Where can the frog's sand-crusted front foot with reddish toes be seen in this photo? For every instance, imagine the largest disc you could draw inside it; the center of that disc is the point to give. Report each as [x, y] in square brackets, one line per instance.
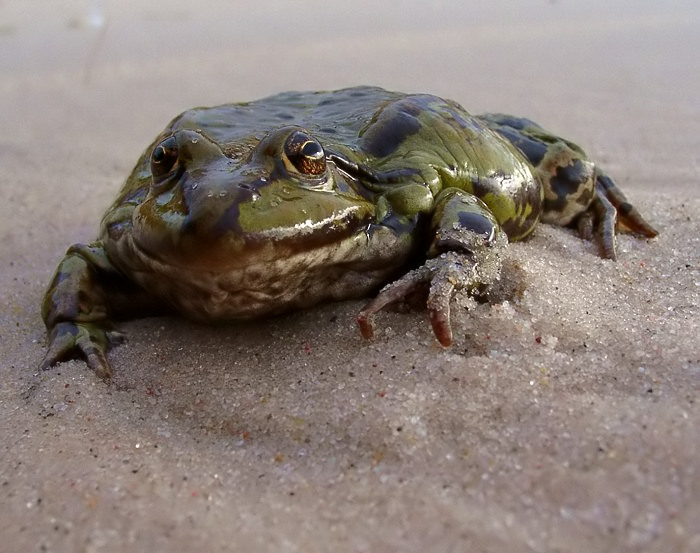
[441, 277]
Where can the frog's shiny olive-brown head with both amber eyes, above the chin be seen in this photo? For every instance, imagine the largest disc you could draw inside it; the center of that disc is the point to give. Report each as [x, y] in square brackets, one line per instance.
[214, 205]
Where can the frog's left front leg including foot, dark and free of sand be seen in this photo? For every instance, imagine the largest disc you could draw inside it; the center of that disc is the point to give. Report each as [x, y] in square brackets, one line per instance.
[85, 293]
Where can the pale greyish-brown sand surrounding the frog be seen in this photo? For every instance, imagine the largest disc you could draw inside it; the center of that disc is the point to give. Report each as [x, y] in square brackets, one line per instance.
[566, 420]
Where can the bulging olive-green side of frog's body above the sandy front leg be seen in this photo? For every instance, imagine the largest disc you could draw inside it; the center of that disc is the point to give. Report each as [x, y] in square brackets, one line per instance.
[446, 147]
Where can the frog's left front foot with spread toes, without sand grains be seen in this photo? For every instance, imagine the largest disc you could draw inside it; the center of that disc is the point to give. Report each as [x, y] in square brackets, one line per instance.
[68, 340]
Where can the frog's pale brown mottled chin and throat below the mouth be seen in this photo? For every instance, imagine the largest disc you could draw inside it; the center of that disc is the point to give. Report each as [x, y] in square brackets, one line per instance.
[273, 278]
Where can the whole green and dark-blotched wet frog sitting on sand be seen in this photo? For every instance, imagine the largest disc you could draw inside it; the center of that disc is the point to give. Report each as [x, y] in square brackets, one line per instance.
[254, 209]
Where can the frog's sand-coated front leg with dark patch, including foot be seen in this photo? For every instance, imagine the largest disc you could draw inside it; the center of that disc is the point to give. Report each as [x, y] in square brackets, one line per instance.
[465, 254]
